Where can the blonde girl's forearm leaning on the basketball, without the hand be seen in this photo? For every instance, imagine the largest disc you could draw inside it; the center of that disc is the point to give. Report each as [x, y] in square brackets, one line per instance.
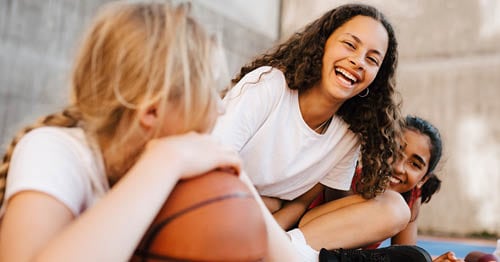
[111, 229]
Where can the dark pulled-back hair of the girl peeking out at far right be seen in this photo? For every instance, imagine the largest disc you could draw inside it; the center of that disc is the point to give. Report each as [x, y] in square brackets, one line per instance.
[423, 127]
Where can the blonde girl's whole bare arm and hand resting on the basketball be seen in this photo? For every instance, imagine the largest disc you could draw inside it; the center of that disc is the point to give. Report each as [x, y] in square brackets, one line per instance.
[40, 228]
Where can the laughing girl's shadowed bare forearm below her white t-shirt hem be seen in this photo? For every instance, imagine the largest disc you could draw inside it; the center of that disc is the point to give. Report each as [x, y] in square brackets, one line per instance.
[288, 216]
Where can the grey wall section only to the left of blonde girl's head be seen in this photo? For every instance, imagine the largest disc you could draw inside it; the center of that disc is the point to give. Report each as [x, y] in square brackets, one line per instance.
[36, 42]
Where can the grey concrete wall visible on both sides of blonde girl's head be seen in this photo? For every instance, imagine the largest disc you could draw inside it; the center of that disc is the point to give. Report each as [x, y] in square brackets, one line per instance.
[38, 41]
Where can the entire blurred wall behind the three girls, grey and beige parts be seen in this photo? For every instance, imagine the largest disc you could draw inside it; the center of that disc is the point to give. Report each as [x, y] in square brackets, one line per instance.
[449, 74]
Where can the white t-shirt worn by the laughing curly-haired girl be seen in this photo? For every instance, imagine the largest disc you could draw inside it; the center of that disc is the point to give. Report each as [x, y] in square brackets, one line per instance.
[282, 155]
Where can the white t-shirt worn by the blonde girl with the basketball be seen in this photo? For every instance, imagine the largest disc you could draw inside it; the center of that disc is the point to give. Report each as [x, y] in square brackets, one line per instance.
[59, 162]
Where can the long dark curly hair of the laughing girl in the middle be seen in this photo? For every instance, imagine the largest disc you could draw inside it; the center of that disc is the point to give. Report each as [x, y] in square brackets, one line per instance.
[375, 118]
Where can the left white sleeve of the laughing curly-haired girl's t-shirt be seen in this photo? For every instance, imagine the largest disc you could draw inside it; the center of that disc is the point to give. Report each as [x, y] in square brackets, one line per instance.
[247, 105]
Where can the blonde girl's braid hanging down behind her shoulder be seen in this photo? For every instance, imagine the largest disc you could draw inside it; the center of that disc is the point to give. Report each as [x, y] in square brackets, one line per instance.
[69, 117]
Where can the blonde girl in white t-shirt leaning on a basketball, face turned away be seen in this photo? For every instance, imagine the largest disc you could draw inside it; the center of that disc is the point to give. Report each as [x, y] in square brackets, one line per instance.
[84, 184]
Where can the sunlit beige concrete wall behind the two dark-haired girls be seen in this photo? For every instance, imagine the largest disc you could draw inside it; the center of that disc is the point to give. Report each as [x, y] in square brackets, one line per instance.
[449, 73]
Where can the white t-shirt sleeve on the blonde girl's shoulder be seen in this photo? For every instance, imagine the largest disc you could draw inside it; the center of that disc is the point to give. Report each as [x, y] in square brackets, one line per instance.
[47, 162]
